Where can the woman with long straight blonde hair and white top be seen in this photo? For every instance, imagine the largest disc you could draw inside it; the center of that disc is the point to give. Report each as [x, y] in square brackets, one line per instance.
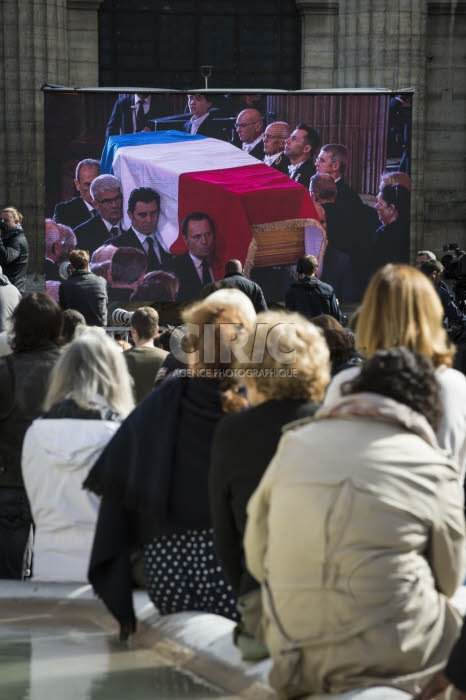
[401, 308]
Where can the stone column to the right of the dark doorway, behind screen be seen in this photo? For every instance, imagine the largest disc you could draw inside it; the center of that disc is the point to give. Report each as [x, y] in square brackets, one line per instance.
[373, 44]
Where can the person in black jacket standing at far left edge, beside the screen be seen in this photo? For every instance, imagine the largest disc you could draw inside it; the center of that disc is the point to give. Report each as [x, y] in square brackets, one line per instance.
[14, 248]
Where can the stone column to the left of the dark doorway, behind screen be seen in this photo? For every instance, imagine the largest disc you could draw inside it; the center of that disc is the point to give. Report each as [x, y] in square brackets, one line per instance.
[36, 47]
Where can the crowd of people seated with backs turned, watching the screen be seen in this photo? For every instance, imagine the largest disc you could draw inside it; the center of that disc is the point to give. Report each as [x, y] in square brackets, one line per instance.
[318, 509]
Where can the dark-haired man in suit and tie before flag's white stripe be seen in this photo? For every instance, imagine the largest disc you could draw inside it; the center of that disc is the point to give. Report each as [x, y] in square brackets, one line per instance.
[143, 211]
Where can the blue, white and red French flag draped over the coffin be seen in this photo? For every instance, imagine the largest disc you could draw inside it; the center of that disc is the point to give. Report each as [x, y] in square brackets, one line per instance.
[197, 173]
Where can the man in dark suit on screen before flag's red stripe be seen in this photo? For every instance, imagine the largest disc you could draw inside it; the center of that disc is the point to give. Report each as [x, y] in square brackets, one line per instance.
[193, 268]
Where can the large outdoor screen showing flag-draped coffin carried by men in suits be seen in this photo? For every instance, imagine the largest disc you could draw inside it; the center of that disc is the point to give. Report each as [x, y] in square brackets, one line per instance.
[263, 215]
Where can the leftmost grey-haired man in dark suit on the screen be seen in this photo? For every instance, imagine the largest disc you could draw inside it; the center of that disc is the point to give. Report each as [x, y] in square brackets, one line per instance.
[79, 209]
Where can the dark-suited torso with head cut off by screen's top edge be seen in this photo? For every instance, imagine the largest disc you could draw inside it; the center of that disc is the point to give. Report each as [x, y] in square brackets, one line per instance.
[134, 113]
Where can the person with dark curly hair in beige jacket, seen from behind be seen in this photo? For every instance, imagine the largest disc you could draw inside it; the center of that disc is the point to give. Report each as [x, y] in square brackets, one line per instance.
[358, 556]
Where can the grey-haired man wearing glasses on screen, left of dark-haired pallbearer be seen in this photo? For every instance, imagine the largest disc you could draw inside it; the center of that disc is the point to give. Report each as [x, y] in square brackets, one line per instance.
[108, 202]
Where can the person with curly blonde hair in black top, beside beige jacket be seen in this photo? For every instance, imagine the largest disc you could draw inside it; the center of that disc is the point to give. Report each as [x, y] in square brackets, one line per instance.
[280, 392]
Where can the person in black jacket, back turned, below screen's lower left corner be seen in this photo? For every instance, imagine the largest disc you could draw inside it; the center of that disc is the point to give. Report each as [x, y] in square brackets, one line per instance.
[84, 291]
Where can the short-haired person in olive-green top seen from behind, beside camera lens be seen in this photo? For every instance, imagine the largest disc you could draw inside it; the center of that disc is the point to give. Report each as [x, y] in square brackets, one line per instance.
[144, 359]
